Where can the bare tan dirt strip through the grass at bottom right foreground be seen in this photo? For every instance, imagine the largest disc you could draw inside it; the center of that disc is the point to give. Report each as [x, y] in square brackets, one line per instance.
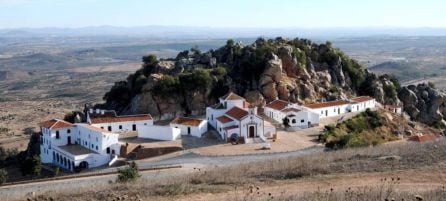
[410, 180]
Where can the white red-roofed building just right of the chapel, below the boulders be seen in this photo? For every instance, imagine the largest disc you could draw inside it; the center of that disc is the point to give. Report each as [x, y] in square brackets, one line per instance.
[296, 116]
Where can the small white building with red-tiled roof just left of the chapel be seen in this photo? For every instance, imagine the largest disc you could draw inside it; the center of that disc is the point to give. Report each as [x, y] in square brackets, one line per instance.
[190, 126]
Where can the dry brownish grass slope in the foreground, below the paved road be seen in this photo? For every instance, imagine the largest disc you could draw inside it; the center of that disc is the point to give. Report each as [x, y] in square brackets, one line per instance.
[241, 182]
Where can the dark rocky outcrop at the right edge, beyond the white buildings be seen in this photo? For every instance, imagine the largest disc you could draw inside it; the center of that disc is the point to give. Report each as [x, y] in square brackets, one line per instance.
[423, 103]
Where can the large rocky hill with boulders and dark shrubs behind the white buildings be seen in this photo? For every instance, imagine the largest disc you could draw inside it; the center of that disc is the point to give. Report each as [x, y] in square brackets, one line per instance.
[296, 70]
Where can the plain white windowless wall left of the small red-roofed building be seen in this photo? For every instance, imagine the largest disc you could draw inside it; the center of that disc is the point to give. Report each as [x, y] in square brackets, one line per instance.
[159, 133]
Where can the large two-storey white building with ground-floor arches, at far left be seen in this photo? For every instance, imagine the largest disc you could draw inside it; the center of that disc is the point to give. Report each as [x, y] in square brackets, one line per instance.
[76, 146]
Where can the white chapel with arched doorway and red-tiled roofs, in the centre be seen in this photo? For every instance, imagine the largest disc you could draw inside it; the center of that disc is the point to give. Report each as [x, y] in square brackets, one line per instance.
[233, 116]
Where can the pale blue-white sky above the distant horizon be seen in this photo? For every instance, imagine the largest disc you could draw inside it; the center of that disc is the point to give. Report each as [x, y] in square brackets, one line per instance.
[223, 13]
